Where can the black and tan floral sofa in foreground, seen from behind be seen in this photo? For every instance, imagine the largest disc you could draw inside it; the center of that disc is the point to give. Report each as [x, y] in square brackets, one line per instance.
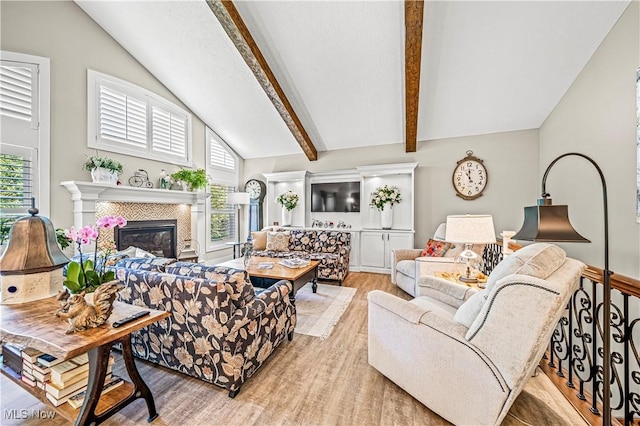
[220, 330]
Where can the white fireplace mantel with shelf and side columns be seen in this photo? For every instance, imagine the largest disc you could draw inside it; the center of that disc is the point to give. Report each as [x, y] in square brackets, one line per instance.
[85, 195]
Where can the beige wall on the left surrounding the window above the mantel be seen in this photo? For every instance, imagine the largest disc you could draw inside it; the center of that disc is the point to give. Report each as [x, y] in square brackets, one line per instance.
[62, 32]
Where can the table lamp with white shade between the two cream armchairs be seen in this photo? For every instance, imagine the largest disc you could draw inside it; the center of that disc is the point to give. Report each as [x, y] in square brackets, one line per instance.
[469, 230]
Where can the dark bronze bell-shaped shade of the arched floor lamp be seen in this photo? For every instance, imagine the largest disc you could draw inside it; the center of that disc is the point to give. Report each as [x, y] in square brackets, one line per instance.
[548, 223]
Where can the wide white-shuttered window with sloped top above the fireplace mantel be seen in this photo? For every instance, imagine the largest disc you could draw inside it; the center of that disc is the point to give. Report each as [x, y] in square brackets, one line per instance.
[125, 118]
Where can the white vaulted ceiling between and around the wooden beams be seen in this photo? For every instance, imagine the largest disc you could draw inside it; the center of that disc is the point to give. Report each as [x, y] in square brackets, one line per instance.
[486, 66]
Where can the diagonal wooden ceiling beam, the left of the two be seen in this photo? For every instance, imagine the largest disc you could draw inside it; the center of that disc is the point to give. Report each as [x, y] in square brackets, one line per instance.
[239, 34]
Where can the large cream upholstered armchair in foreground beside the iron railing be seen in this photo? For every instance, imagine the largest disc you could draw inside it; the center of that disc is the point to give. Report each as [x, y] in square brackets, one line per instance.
[469, 360]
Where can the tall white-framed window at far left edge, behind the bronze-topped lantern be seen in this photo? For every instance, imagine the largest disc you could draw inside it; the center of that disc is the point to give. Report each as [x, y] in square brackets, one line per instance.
[24, 137]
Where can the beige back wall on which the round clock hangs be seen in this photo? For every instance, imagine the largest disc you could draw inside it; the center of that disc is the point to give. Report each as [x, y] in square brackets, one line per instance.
[512, 166]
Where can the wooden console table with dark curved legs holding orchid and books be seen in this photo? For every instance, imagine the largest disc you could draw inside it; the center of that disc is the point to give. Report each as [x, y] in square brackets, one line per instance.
[34, 324]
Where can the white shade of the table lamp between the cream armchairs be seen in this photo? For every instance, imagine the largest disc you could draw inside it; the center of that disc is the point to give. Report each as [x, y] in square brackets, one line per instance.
[470, 229]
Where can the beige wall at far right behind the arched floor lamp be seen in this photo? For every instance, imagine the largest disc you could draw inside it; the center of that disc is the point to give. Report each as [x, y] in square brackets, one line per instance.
[597, 117]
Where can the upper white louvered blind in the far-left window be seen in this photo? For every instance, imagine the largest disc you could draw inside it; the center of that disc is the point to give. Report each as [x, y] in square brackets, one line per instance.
[17, 86]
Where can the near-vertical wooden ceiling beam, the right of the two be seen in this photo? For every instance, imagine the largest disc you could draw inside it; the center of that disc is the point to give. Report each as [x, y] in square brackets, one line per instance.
[413, 16]
